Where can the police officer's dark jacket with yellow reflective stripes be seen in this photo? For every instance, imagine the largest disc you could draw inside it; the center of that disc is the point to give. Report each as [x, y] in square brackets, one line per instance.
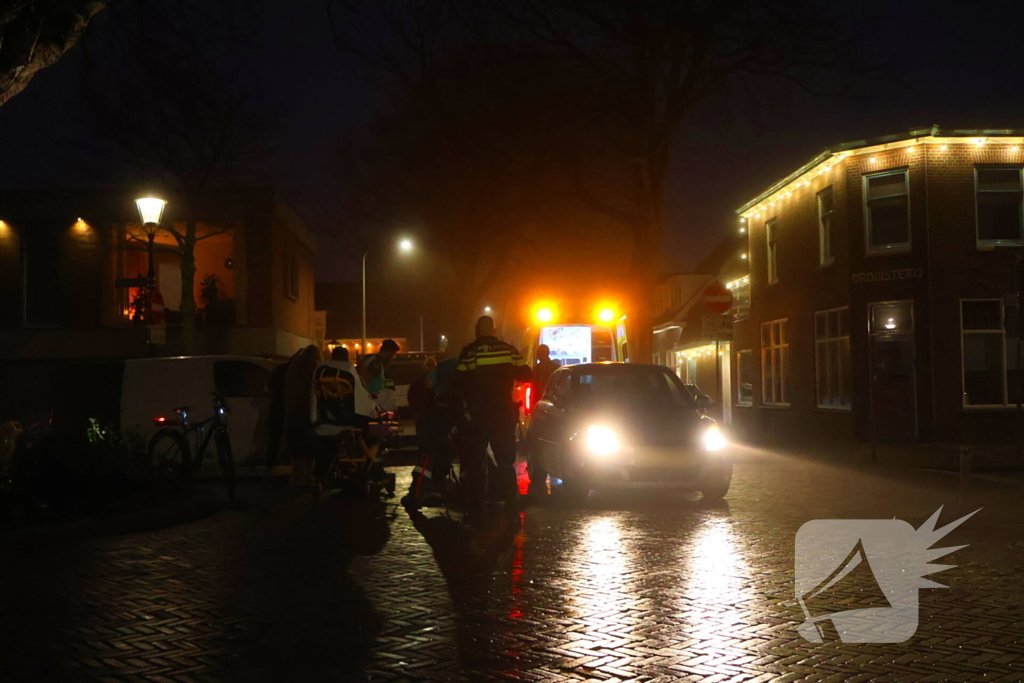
[487, 373]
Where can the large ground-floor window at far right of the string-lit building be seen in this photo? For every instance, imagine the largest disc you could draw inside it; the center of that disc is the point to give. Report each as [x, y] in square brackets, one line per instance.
[991, 368]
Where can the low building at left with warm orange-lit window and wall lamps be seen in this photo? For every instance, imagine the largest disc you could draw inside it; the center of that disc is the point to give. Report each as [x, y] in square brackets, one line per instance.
[63, 251]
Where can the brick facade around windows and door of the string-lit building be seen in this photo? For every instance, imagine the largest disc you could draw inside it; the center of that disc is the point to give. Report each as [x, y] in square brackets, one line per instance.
[946, 266]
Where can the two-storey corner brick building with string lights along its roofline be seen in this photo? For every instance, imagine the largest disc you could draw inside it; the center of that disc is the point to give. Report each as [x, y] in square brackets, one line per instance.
[882, 275]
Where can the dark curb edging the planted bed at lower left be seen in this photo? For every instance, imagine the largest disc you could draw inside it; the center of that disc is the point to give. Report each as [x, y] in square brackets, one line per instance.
[201, 504]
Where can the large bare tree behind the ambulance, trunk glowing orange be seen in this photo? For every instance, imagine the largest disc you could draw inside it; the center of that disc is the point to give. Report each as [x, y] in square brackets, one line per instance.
[645, 67]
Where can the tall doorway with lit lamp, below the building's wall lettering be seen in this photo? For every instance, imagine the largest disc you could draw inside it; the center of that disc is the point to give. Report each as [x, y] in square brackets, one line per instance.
[893, 373]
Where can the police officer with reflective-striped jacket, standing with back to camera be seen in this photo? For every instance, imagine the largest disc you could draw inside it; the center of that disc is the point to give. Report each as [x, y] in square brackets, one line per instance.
[487, 372]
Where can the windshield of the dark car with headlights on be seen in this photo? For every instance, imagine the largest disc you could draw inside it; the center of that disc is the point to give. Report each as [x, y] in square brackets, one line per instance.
[648, 388]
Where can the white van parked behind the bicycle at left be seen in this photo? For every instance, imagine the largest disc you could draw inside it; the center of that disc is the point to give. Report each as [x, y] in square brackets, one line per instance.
[154, 388]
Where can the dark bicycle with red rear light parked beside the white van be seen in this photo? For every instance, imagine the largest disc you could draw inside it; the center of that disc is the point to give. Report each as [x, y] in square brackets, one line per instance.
[170, 453]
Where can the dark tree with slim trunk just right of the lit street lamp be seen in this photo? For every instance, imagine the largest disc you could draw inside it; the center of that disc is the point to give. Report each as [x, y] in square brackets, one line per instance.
[159, 91]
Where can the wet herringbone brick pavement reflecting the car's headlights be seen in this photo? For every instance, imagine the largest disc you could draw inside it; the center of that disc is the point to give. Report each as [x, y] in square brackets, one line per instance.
[627, 586]
